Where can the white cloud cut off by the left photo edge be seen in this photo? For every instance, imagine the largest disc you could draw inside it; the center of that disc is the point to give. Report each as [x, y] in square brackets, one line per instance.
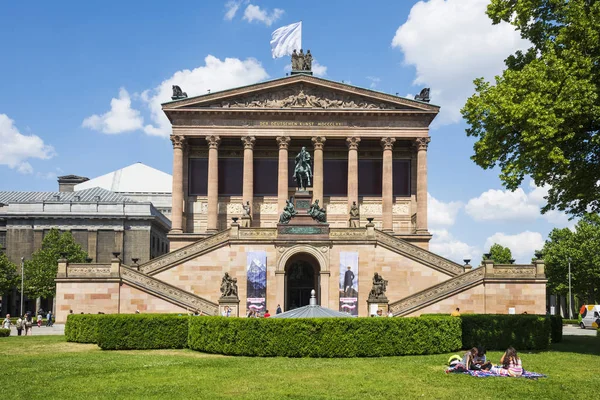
[16, 148]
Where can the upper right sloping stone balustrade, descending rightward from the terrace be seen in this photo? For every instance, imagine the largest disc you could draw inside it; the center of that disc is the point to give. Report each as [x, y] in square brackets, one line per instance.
[418, 254]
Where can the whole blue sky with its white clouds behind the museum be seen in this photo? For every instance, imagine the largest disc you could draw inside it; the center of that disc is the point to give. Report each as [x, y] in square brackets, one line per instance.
[65, 62]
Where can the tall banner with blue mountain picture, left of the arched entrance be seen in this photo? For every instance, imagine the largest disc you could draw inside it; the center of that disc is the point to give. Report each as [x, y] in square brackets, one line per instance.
[256, 271]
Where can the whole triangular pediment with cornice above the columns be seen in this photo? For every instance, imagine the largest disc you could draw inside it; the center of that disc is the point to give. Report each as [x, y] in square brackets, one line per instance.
[300, 92]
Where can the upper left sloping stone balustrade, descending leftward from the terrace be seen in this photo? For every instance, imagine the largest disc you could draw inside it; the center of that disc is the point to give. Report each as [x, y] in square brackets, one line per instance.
[200, 247]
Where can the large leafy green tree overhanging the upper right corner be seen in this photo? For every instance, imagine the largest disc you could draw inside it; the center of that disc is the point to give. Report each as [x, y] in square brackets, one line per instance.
[542, 116]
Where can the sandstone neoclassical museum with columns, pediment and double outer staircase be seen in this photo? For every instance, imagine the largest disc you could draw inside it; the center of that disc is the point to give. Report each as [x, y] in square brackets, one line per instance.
[357, 233]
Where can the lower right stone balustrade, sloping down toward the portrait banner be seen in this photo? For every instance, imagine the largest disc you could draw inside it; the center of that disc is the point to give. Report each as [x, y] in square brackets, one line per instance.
[438, 292]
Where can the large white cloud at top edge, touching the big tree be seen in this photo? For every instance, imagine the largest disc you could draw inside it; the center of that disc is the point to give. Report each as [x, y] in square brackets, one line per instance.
[450, 43]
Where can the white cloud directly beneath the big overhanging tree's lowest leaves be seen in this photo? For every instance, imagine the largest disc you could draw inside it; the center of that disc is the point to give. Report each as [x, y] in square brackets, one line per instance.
[499, 205]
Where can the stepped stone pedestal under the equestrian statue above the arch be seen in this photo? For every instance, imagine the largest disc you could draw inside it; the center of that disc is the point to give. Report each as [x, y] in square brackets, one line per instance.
[302, 226]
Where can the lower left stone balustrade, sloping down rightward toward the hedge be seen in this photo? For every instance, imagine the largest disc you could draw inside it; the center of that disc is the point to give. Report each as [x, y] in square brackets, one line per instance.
[167, 292]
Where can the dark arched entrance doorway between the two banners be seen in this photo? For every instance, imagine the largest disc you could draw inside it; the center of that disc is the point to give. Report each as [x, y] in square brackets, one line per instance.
[301, 276]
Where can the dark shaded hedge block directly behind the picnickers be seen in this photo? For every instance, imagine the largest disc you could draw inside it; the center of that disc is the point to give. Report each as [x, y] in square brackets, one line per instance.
[498, 332]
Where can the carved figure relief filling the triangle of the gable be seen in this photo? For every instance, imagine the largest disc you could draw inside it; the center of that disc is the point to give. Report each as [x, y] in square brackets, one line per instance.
[305, 97]
